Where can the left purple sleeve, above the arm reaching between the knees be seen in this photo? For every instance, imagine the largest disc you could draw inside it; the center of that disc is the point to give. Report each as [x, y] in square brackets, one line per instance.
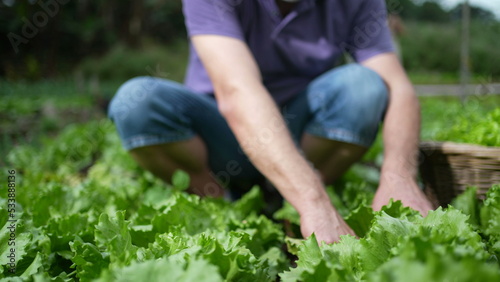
[216, 17]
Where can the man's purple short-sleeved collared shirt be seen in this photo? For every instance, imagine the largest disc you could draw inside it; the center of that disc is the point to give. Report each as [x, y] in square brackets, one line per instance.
[293, 50]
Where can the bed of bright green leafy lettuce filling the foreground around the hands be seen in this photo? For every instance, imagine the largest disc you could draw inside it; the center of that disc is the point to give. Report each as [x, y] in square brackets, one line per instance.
[88, 213]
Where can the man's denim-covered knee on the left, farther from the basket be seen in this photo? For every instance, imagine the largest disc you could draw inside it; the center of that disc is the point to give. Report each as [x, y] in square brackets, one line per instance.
[149, 110]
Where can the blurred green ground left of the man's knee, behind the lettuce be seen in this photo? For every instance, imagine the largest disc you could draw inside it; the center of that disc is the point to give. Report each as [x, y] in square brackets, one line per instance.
[30, 111]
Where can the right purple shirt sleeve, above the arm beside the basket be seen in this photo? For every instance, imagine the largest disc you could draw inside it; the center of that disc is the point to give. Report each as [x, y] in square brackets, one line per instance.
[370, 34]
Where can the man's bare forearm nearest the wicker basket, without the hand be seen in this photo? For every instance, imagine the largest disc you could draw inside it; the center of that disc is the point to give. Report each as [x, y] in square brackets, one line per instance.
[401, 134]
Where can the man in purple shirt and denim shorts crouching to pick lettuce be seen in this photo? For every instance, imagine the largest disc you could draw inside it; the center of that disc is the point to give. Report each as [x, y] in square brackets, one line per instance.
[262, 56]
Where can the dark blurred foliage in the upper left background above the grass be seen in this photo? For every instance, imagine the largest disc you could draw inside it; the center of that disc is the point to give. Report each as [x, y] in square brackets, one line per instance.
[80, 29]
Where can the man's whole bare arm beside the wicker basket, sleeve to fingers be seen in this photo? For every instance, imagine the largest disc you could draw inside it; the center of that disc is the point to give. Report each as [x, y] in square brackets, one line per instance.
[401, 138]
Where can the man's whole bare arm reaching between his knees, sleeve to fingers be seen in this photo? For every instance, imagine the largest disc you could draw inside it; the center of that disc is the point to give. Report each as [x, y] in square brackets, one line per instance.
[259, 128]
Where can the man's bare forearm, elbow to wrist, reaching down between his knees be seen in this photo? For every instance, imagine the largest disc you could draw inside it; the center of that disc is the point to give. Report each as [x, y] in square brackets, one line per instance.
[263, 135]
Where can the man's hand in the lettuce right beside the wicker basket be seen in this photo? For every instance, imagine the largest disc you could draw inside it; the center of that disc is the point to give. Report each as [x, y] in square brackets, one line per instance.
[404, 189]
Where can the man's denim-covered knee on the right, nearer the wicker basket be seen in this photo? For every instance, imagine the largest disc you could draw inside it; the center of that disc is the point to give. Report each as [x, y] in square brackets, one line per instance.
[350, 99]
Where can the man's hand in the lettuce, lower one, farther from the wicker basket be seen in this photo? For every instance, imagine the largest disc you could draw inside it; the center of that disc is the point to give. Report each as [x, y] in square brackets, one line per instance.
[325, 222]
